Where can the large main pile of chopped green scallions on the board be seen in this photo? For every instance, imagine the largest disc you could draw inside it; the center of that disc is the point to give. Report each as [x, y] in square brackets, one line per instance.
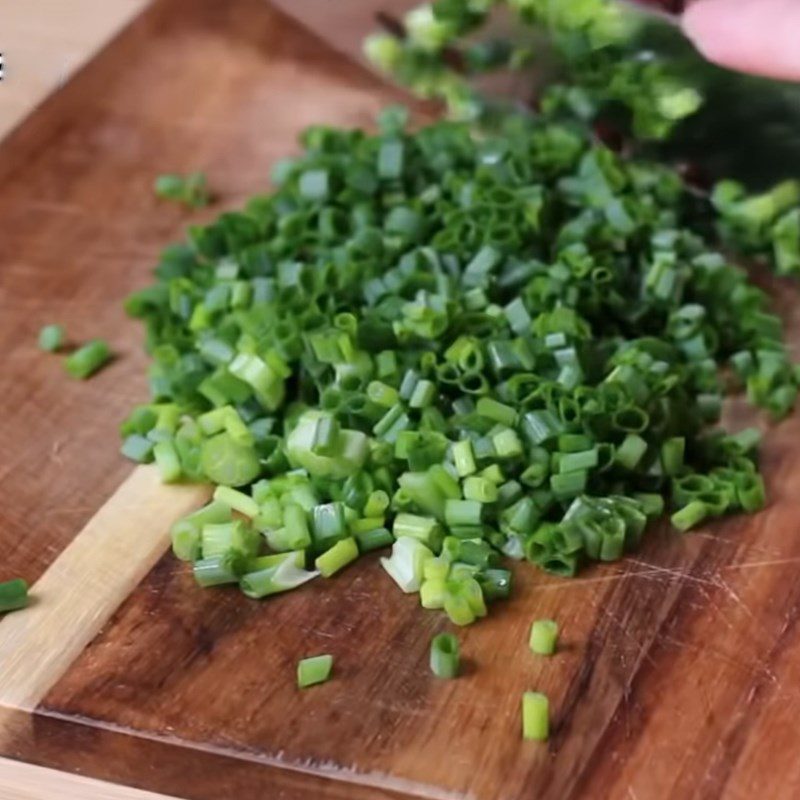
[466, 348]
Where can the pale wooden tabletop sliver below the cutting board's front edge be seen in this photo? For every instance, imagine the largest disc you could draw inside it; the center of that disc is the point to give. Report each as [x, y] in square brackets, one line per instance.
[22, 781]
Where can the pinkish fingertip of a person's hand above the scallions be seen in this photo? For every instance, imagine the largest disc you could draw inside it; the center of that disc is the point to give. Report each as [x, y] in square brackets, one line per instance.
[757, 36]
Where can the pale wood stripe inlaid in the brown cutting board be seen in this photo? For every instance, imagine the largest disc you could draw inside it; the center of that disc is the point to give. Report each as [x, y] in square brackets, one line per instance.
[87, 582]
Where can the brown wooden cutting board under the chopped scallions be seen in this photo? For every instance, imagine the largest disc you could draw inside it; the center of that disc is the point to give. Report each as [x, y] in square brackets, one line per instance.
[679, 673]
